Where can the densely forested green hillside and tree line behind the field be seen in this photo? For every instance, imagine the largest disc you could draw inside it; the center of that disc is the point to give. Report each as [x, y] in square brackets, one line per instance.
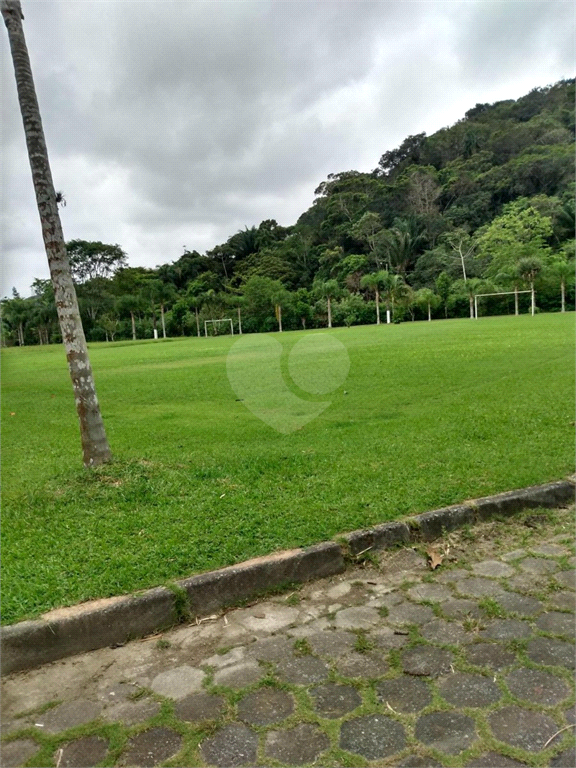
[485, 205]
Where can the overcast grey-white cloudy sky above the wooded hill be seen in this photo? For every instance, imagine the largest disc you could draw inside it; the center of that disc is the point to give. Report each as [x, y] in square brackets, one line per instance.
[174, 124]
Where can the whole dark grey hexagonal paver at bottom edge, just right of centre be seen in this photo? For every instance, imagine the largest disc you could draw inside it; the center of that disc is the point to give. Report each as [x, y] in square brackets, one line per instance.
[372, 736]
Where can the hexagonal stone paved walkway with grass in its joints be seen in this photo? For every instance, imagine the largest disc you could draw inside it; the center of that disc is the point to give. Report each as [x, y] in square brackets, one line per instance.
[390, 664]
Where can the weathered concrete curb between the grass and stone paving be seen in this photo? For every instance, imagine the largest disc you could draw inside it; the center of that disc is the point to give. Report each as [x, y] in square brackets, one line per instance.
[113, 621]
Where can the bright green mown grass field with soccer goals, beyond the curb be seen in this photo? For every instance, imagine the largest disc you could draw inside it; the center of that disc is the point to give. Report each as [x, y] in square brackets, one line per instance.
[430, 414]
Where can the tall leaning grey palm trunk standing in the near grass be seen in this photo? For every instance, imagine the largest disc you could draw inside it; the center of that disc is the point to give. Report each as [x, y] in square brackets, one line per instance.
[94, 442]
